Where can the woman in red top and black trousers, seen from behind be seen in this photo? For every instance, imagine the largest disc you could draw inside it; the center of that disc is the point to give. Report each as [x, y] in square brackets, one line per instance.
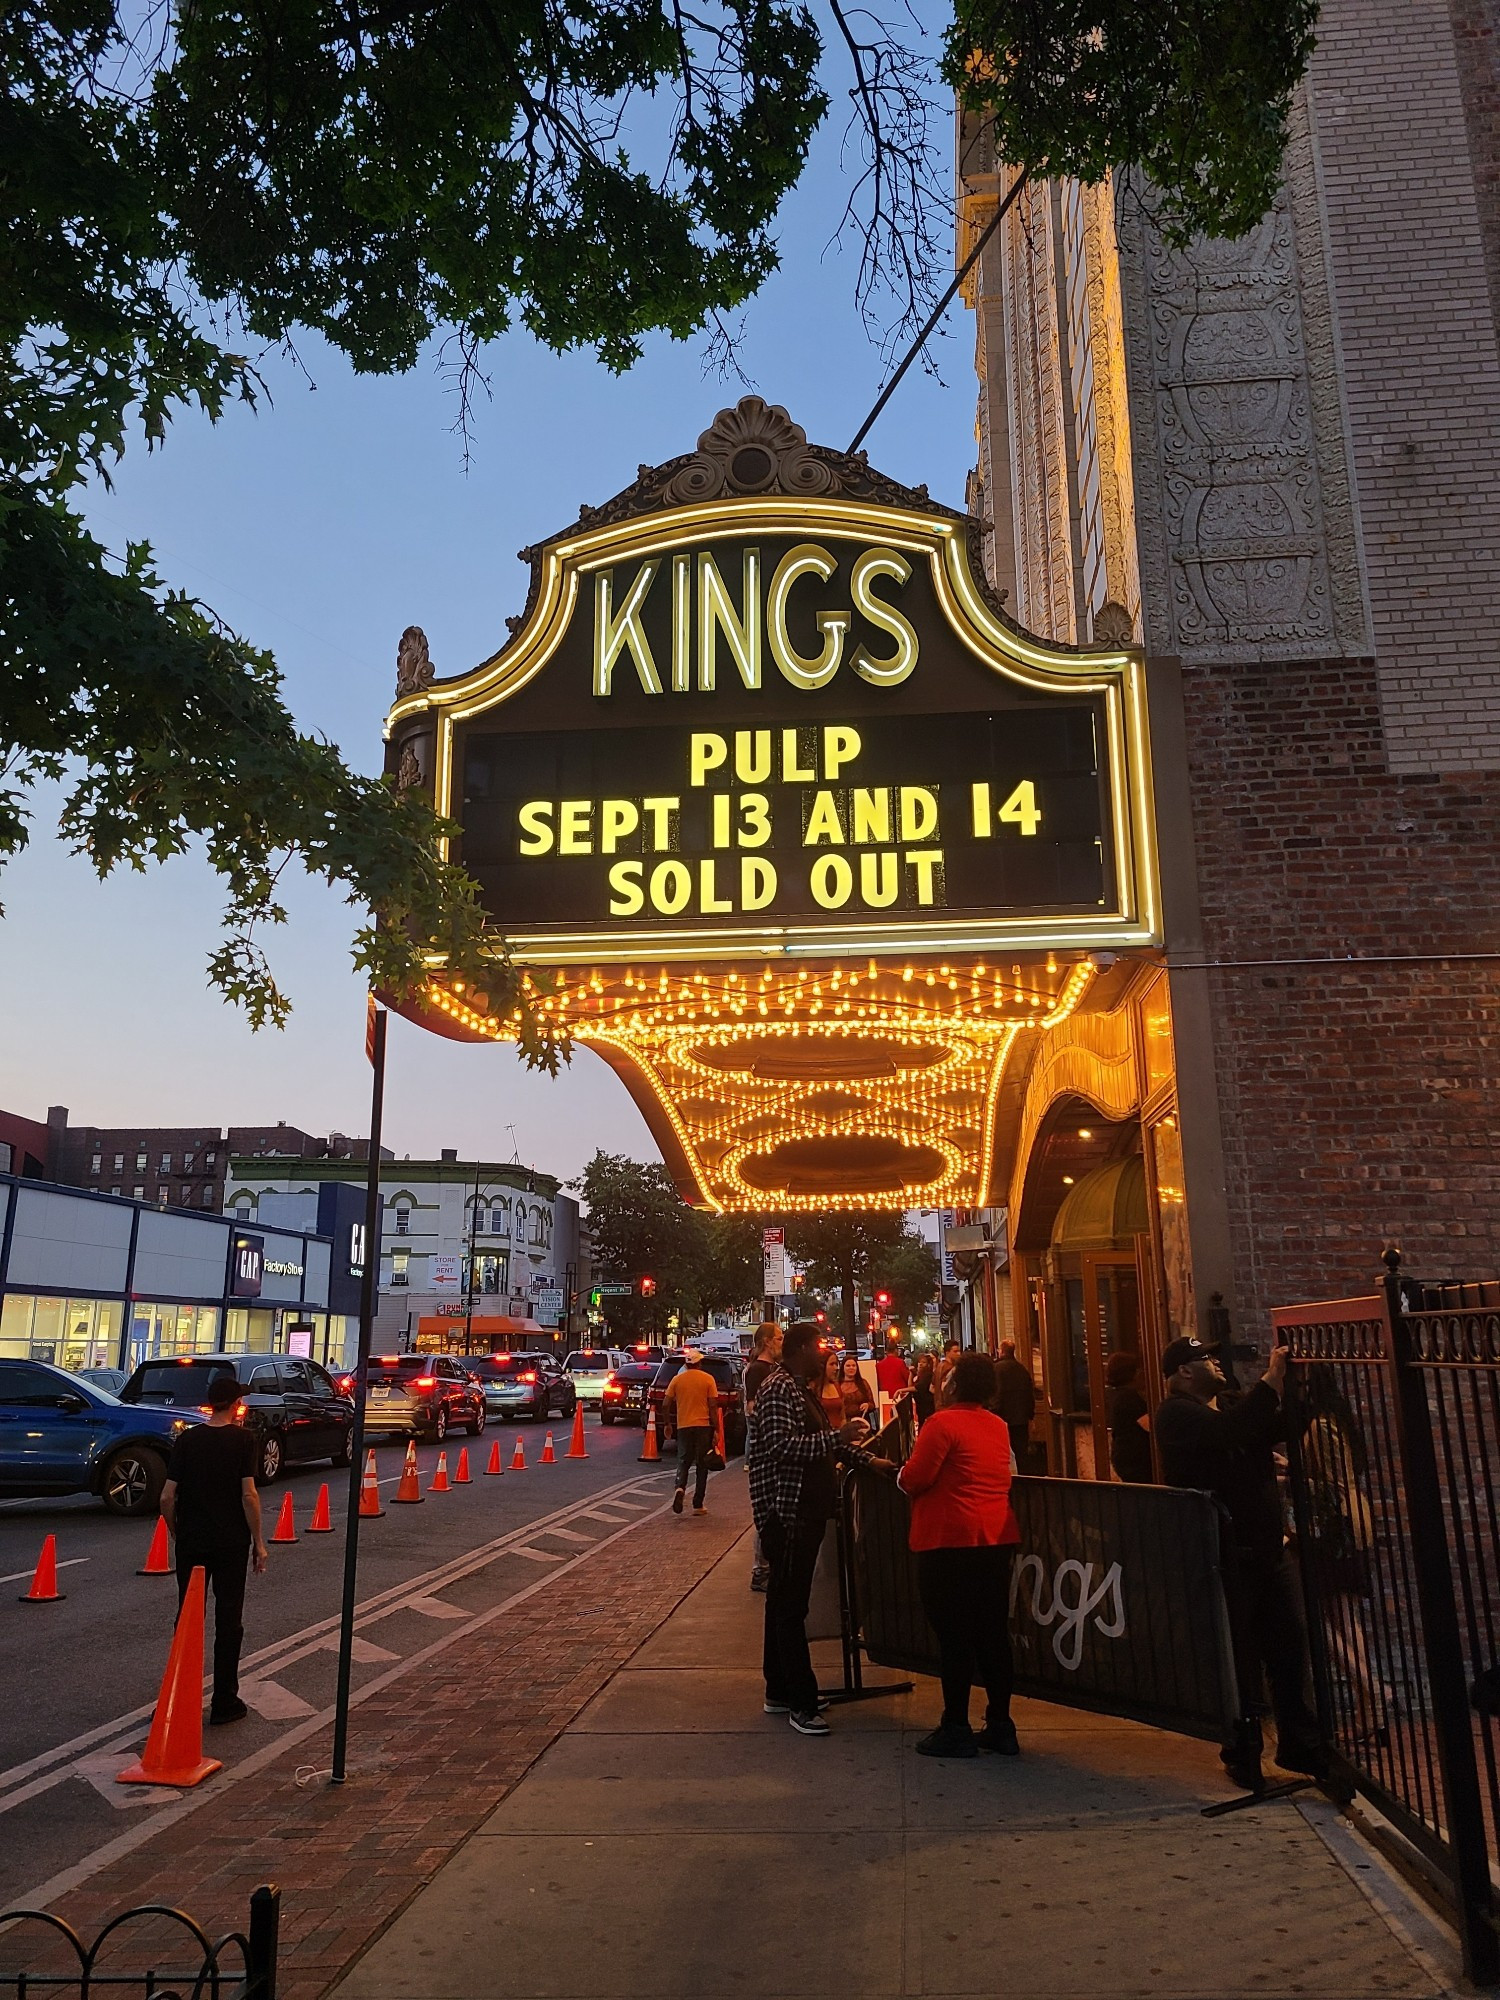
[965, 1539]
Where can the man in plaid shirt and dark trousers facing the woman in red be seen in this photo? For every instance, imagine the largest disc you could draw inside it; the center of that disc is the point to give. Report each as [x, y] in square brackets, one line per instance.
[793, 1495]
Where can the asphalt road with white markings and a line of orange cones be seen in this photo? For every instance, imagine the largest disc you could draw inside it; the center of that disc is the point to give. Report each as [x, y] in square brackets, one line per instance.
[81, 1677]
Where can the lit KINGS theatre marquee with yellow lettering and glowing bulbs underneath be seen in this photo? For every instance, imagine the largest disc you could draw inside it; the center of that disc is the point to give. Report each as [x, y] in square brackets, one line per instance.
[807, 827]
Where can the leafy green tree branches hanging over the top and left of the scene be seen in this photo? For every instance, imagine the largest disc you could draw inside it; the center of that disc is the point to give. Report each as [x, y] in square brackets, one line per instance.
[185, 181]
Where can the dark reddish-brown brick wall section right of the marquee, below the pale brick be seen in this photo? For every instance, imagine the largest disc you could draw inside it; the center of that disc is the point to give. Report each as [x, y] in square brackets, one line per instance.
[1359, 1105]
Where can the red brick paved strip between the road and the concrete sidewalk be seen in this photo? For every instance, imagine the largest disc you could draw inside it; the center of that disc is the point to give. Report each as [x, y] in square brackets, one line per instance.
[431, 1757]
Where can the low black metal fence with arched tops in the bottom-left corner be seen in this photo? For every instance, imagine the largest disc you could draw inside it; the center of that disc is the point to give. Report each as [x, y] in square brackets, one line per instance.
[235, 1967]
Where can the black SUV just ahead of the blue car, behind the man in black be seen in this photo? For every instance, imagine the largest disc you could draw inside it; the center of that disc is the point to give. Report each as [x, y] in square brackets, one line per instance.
[291, 1405]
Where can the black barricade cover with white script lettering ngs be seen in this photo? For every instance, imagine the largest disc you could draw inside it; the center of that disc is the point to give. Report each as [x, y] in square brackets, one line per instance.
[1117, 1599]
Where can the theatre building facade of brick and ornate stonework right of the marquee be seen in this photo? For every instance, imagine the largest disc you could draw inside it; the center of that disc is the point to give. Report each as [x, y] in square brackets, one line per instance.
[1275, 465]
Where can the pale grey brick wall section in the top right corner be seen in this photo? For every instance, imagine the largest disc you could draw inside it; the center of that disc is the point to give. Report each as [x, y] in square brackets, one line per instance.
[1421, 365]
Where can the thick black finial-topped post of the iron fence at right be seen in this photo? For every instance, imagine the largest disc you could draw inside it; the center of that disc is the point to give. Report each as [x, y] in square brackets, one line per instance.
[1443, 1645]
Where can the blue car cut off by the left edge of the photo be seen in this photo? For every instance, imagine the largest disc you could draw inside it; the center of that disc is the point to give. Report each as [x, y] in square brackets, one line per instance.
[61, 1435]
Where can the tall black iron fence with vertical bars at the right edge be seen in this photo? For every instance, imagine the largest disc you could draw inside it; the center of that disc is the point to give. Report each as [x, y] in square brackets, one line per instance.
[1395, 1475]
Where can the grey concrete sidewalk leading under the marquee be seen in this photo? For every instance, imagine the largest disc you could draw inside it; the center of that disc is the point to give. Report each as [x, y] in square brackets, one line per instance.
[679, 1843]
